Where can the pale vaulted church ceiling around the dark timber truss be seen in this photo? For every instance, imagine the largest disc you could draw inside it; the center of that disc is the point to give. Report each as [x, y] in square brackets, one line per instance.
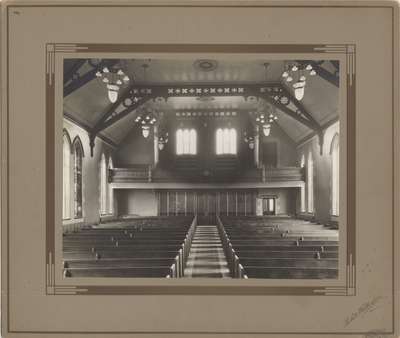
[86, 101]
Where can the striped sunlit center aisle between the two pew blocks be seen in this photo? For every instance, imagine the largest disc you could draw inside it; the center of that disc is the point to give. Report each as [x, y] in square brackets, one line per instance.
[206, 256]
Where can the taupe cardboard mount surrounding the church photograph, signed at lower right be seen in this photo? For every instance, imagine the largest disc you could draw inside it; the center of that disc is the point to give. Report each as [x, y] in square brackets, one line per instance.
[37, 36]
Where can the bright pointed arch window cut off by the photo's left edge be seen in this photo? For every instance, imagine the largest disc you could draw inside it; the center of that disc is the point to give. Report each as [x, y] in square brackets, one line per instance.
[66, 176]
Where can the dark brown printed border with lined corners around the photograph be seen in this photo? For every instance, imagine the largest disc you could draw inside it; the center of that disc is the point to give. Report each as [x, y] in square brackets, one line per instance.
[348, 289]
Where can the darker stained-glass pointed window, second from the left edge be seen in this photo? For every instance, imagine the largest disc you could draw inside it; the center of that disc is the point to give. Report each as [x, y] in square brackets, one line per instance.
[78, 189]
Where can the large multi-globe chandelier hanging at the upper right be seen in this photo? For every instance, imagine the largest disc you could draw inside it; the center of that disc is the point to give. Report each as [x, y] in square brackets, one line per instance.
[297, 72]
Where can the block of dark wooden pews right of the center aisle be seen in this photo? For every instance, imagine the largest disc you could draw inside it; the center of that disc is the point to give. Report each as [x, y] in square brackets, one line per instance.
[281, 248]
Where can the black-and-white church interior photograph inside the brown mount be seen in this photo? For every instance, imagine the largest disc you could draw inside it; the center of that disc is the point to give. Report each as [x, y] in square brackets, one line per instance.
[200, 168]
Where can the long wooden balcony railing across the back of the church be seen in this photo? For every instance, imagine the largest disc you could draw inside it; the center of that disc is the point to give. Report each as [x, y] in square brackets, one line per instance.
[146, 173]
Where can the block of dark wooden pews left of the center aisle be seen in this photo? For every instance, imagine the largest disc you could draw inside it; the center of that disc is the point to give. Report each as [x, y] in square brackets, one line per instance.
[148, 247]
